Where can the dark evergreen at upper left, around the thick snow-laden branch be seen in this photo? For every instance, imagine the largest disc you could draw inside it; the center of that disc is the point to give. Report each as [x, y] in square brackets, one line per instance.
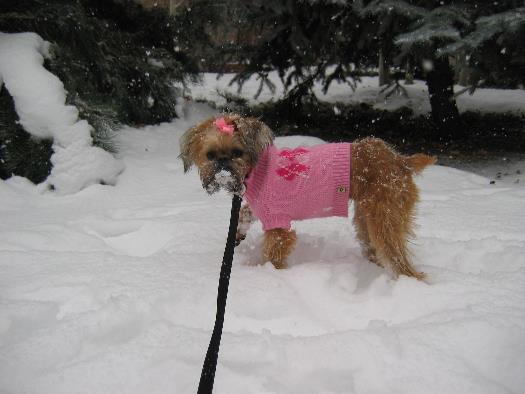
[118, 62]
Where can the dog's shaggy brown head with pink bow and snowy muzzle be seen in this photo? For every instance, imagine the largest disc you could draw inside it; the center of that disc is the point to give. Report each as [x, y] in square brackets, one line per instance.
[224, 150]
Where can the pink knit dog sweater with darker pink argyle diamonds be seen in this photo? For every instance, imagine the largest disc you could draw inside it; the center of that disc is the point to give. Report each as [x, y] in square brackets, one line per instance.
[298, 184]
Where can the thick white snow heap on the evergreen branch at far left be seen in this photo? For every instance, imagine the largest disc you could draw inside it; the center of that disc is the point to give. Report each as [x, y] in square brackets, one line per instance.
[40, 102]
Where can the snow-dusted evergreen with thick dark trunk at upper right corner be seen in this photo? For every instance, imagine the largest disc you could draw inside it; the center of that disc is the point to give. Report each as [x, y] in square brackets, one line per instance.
[449, 28]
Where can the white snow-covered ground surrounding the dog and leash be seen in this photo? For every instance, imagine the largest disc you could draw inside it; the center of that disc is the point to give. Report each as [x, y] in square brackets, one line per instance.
[112, 290]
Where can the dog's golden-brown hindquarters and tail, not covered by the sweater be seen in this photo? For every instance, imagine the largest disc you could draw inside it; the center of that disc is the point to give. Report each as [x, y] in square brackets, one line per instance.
[385, 196]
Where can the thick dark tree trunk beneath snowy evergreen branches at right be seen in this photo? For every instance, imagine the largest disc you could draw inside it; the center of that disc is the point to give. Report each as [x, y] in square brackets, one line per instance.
[440, 84]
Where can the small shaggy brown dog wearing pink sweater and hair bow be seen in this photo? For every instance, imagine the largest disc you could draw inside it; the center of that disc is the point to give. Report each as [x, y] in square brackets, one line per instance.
[237, 154]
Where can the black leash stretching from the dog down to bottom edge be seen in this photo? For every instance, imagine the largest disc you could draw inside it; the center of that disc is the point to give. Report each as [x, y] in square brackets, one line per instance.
[210, 361]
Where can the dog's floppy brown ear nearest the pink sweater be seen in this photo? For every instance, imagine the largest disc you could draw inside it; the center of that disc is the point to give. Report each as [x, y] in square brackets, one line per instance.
[256, 136]
